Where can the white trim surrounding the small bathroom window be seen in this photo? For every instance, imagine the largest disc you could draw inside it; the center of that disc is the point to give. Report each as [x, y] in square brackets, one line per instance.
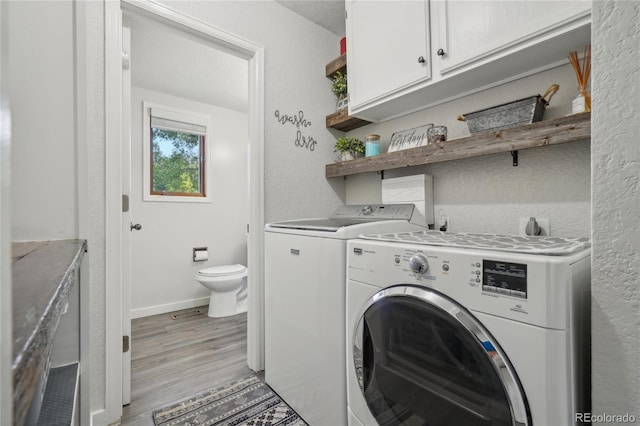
[166, 111]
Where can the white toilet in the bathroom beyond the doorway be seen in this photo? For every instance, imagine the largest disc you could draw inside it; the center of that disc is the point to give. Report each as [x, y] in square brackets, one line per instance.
[228, 287]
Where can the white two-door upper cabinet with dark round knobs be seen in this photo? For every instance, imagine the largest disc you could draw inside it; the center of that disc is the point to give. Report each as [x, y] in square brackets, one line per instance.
[470, 46]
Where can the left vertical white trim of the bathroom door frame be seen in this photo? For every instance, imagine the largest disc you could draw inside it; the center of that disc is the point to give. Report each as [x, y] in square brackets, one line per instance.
[113, 213]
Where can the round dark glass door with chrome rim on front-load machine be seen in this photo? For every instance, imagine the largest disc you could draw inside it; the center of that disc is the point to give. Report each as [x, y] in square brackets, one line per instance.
[423, 359]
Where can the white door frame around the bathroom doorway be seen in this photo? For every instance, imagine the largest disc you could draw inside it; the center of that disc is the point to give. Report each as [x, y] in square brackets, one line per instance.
[254, 54]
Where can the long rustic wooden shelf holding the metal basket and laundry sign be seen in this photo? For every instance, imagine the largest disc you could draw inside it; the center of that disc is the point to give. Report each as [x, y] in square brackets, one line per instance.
[573, 128]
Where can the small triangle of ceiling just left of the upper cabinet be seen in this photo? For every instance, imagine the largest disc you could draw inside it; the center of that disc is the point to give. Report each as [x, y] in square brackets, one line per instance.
[328, 14]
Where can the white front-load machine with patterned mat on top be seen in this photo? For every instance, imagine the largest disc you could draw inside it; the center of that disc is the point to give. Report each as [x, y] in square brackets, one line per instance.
[467, 329]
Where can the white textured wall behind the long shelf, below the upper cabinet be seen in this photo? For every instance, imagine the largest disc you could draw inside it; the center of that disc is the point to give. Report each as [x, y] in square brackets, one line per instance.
[488, 194]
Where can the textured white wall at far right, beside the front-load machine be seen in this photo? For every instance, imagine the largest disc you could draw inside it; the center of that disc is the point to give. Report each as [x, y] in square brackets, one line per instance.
[616, 208]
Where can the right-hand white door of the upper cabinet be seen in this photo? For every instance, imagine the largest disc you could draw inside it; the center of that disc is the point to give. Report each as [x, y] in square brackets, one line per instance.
[475, 32]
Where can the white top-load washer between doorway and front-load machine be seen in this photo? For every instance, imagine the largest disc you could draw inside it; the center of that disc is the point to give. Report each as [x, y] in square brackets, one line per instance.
[305, 279]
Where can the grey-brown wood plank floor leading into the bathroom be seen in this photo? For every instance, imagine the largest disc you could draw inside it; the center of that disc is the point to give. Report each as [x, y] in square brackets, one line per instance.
[174, 359]
